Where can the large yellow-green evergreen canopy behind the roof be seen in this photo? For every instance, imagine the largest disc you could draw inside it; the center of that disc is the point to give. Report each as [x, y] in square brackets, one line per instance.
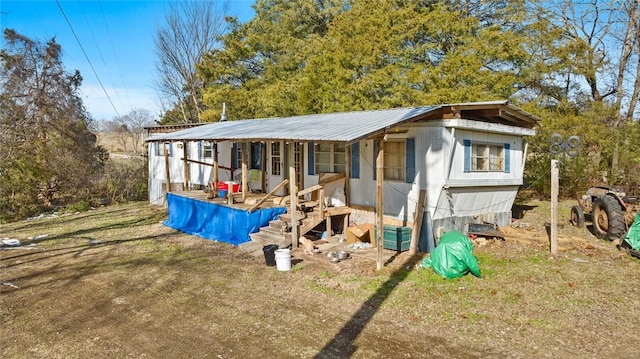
[321, 56]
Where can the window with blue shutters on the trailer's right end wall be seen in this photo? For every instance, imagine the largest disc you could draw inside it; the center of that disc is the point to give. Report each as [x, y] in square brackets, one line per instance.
[486, 157]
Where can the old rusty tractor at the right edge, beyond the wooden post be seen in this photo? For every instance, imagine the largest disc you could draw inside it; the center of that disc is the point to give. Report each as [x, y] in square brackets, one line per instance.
[609, 209]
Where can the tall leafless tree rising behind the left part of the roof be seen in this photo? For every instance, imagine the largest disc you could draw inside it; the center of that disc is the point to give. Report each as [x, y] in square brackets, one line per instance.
[190, 30]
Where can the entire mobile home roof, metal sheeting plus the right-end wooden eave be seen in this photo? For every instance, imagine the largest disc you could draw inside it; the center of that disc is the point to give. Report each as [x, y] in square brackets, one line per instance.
[347, 127]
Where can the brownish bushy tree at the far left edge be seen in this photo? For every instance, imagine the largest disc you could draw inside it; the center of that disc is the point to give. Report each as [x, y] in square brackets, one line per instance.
[48, 153]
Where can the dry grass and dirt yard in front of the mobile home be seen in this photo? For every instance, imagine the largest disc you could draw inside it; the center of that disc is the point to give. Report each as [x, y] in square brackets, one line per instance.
[115, 282]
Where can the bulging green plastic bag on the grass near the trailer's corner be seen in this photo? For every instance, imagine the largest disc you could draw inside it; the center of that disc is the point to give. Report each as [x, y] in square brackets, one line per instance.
[453, 256]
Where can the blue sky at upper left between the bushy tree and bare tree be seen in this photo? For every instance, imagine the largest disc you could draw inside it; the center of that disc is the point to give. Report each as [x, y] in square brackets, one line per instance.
[117, 37]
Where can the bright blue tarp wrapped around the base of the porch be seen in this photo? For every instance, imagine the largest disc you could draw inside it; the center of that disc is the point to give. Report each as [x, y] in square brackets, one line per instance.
[216, 221]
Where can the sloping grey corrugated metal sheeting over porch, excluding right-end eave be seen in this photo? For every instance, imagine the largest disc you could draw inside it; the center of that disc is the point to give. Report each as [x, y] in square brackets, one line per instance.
[335, 127]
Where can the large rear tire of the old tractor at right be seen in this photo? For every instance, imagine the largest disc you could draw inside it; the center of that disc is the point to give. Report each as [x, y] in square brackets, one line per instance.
[608, 218]
